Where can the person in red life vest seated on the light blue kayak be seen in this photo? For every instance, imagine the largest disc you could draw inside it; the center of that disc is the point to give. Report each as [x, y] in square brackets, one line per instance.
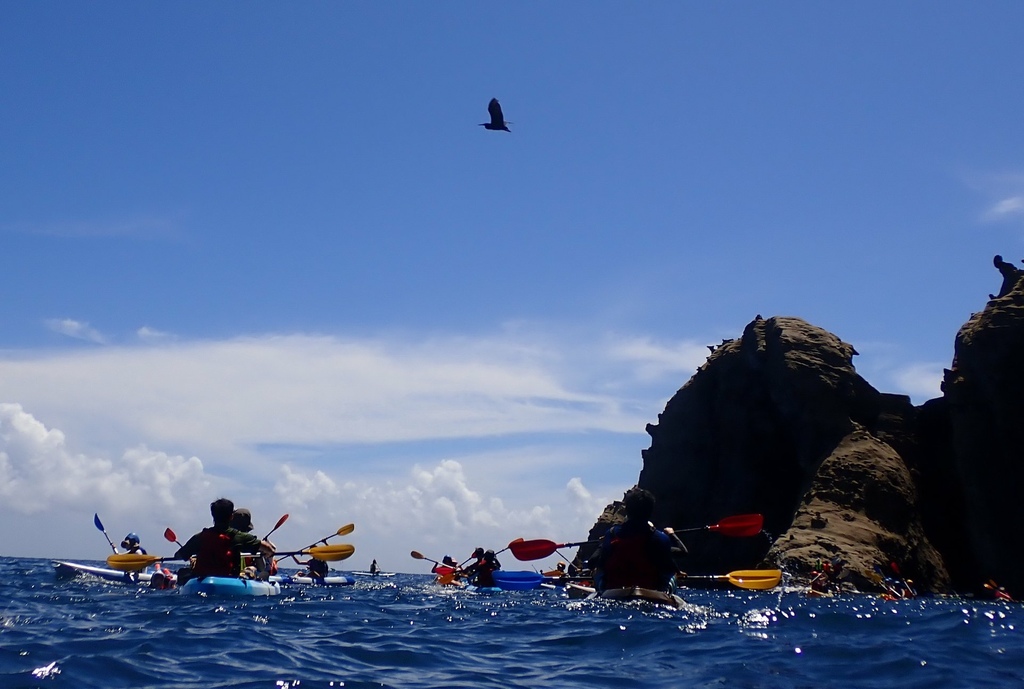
[219, 549]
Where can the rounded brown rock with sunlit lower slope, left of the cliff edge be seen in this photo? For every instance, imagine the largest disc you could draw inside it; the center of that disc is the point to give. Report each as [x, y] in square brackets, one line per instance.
[780, 423]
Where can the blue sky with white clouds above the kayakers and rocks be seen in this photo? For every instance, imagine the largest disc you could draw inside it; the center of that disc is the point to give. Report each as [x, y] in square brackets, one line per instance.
[269, 253]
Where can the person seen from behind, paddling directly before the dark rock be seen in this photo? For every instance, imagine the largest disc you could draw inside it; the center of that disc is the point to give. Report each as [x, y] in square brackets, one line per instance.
[634, 553]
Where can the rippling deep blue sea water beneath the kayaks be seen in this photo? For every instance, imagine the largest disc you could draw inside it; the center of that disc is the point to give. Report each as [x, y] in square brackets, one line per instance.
[407, 632]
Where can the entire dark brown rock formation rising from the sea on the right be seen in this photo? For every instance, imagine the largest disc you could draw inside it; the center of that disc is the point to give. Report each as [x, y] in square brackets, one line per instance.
[779, 422]
